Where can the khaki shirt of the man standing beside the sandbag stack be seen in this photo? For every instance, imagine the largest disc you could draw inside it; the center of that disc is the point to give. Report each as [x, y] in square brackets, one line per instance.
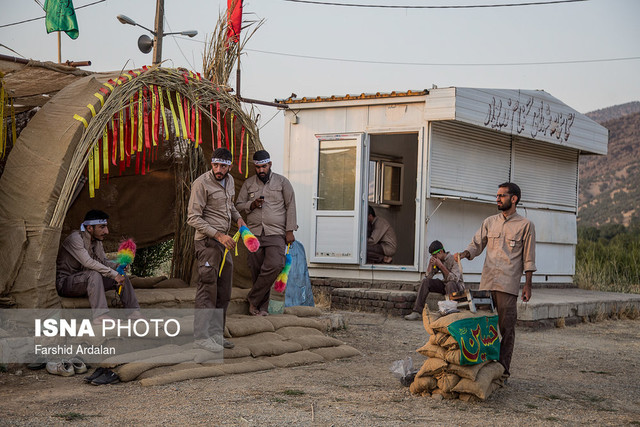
[511, 250]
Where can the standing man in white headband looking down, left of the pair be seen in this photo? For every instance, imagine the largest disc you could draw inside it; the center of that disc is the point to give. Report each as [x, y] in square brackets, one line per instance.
[210, 212]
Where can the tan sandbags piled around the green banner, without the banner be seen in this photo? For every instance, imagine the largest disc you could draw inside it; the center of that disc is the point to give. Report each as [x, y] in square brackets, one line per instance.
[443, 373]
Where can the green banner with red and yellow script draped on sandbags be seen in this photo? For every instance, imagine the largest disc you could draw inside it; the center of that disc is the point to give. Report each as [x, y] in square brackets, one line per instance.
[477, 338]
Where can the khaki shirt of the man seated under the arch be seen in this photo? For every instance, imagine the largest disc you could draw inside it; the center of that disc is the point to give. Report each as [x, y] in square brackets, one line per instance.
[79, 253]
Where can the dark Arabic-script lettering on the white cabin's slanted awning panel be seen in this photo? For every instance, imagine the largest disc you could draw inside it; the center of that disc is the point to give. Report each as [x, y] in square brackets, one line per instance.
[530, 118]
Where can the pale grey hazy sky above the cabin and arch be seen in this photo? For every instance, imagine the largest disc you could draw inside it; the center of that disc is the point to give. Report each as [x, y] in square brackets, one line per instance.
[314, 50]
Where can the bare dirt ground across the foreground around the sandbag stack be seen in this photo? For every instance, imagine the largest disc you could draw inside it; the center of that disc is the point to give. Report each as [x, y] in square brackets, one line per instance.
[579, 375]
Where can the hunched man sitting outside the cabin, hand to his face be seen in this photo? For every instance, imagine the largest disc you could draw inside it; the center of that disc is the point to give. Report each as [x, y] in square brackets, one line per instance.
[440, 262]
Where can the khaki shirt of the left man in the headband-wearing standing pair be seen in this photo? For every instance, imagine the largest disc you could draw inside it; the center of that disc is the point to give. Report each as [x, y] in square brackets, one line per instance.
[211, 206]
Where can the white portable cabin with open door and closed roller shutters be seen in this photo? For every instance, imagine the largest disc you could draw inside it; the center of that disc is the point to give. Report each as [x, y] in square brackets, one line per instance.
[430, 162]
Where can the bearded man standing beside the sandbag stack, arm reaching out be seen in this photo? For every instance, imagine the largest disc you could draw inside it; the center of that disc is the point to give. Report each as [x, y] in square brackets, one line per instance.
[510, 240]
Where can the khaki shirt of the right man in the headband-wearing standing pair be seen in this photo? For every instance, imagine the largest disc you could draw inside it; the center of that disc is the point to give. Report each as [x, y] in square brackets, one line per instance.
[278, 212]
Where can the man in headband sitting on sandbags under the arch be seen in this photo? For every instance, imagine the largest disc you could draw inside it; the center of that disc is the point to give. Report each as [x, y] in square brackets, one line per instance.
[83, 270]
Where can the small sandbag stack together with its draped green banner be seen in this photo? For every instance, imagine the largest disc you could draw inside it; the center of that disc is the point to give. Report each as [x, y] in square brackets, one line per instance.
[469, 375]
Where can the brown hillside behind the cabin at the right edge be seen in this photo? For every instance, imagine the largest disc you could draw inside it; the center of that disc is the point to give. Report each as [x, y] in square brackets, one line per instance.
[610, 185]
